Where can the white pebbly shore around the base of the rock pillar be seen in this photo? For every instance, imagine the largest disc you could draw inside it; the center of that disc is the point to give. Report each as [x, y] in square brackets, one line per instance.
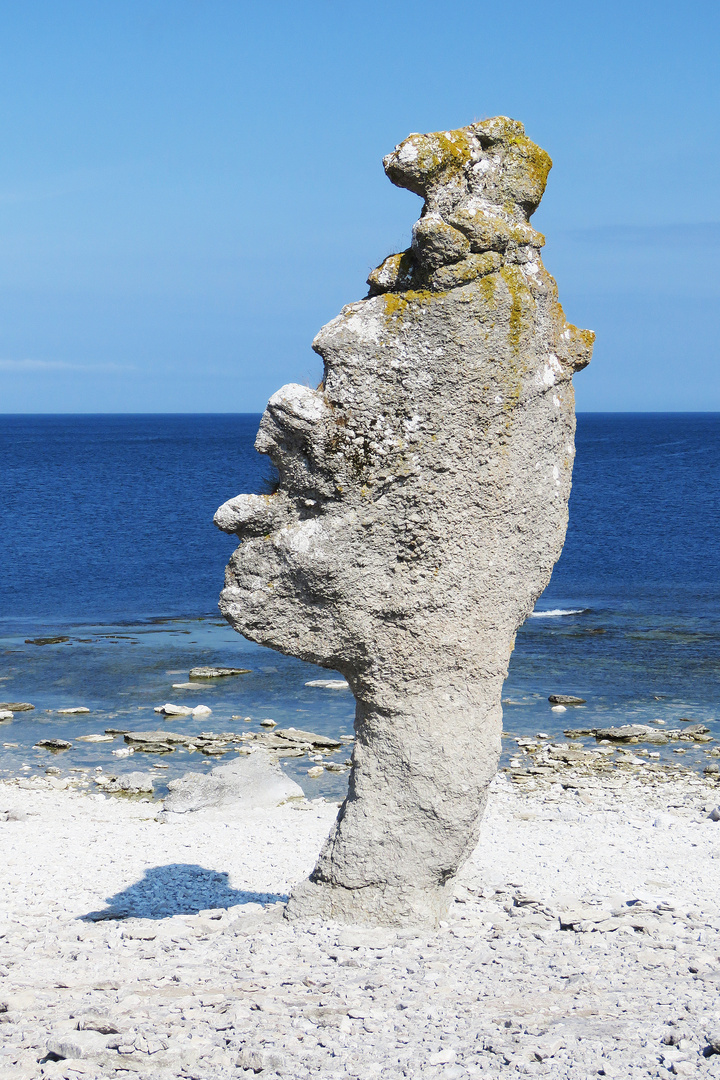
[585, 942]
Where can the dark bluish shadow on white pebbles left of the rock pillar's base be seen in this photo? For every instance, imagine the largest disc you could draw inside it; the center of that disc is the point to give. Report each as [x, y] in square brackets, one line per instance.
[178, 889]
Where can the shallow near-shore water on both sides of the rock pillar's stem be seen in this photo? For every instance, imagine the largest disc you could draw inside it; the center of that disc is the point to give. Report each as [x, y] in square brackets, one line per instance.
[123, 672]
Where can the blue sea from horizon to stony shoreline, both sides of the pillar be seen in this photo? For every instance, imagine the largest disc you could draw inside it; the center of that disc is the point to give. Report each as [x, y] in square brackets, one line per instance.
[107, 541]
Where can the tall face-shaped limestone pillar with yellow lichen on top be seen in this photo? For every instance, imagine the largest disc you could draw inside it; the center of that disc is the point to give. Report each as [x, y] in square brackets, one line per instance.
[423, 504]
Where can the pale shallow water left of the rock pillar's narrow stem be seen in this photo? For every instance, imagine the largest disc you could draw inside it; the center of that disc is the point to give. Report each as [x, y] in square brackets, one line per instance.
[123, 672]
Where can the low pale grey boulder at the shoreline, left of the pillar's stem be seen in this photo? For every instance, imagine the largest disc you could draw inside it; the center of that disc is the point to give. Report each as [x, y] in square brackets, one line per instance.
[253, 782]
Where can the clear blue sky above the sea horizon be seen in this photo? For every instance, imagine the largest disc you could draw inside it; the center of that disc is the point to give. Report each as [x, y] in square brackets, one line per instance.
[189, 191]
